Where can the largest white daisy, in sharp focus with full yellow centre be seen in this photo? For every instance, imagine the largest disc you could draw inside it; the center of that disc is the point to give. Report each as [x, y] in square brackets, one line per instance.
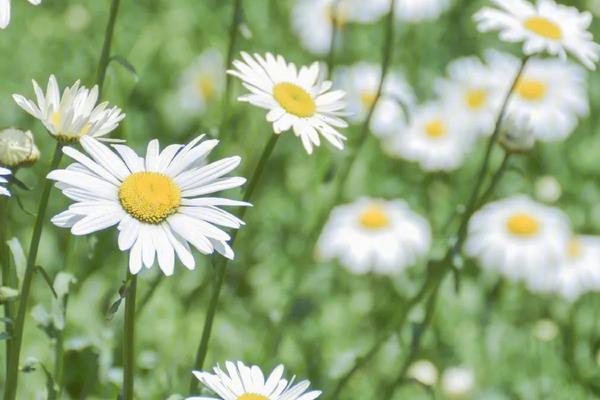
[158, 203]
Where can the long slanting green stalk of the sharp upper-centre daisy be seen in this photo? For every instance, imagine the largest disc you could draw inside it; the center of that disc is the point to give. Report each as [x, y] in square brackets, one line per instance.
[222, 262]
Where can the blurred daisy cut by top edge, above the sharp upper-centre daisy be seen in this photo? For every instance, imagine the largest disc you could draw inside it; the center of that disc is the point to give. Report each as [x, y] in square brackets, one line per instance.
[313, 20]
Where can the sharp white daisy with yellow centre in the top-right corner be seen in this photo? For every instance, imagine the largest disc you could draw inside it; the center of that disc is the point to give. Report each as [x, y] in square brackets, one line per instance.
[543, 27]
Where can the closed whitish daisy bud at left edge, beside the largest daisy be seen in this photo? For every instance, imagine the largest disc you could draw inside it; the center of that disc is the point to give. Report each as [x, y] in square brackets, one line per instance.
[17, 148]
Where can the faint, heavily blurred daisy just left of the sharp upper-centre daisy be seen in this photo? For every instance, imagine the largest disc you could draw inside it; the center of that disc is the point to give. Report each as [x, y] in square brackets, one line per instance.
[202, 82]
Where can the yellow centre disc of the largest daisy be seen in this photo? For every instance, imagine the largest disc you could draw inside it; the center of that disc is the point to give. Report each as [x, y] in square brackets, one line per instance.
[149, 196]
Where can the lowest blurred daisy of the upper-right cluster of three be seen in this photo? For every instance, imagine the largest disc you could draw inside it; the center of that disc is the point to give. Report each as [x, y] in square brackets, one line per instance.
[435, 138]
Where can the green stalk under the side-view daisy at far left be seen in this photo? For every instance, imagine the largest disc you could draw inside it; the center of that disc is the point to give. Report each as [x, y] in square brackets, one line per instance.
[12, 373]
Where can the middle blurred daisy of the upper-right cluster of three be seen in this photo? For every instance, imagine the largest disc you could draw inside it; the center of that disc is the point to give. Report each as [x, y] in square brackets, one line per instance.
[474, 91]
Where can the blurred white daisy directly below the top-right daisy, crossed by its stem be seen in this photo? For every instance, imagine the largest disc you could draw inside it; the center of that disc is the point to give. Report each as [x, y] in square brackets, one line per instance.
[551, 94]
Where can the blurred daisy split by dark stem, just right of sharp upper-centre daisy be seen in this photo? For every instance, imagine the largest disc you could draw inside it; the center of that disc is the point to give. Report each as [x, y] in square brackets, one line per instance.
[361, 82]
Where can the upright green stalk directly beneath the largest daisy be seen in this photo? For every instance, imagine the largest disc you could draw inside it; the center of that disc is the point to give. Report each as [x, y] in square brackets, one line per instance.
[129, 338]
